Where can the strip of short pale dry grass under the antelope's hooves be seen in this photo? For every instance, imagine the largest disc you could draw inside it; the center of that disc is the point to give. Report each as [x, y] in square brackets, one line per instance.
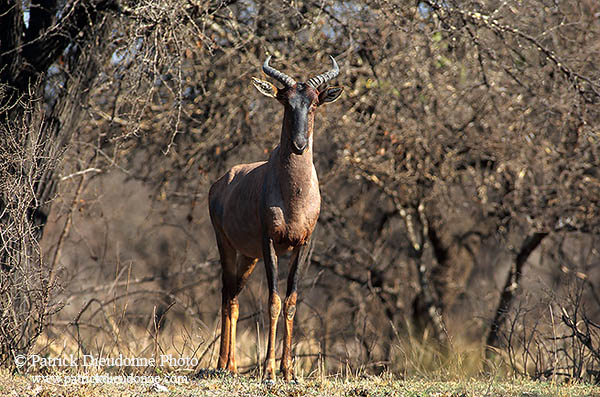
[225, 385]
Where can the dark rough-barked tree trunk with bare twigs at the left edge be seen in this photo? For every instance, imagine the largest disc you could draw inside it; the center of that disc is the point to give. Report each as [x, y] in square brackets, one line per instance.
[46, 70]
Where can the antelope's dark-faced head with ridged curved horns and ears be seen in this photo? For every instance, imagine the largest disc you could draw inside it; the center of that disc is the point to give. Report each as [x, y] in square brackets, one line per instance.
[300, 101]
